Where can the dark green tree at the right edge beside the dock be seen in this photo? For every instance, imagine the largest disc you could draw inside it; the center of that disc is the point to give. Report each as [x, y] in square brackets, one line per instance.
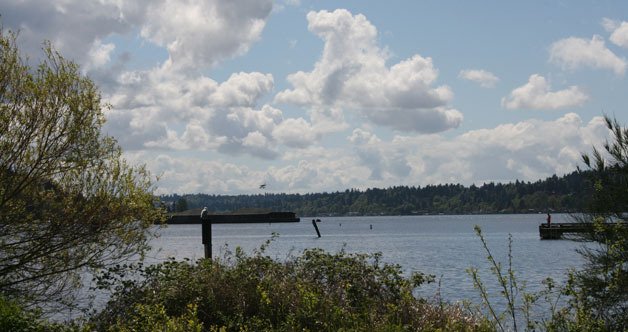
[601, 288]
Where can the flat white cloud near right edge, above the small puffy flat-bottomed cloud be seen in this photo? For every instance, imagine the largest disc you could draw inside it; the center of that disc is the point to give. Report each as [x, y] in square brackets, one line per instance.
[573, 53]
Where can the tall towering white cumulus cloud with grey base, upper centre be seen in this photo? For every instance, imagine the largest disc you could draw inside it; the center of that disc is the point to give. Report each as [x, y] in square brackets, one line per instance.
[352, 74]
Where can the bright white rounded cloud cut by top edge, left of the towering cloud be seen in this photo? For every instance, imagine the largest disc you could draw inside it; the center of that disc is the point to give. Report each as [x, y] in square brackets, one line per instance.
[201, 33]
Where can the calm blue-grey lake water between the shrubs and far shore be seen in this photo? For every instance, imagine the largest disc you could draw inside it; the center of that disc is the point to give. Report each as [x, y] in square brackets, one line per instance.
[444, 246]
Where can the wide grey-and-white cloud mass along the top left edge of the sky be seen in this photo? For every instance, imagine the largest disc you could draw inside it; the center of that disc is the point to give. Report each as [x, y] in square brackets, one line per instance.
[196, 33]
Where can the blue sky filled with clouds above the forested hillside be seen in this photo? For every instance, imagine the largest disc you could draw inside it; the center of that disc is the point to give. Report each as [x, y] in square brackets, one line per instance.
[219, 97]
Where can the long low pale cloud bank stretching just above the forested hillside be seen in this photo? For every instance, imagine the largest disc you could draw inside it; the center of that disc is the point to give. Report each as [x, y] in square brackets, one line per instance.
[527, 150]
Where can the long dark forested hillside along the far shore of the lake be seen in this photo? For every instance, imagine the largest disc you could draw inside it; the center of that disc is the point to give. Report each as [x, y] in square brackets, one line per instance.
[565, 194]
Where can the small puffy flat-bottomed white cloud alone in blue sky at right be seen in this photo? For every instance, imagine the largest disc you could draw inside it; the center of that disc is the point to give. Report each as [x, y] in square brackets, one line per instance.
[536, 95]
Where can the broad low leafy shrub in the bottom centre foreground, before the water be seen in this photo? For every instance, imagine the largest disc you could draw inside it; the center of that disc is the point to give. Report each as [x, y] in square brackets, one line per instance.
[314, 291]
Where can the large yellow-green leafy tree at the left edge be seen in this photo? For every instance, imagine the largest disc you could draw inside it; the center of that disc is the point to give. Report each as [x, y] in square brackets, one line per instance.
[68, 200]
